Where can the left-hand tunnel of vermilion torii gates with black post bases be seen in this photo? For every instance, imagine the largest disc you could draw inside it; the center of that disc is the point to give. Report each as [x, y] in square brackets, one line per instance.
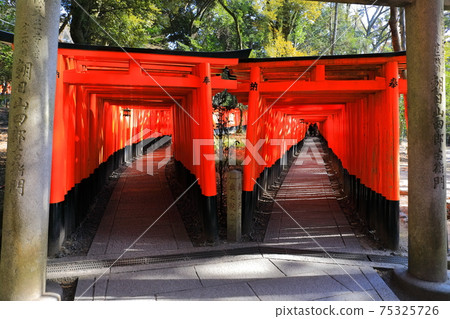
[111, 101]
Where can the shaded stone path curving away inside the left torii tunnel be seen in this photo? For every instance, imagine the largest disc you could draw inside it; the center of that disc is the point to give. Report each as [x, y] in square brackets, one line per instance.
[138, 209]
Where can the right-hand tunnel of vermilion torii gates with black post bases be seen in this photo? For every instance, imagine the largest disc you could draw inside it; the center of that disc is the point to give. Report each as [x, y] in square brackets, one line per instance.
[355, 100]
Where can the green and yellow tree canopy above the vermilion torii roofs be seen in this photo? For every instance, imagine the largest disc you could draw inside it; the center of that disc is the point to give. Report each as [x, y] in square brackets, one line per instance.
[272, 28]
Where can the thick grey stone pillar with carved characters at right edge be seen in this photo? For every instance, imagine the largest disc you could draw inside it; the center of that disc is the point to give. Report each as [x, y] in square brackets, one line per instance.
[427, 231]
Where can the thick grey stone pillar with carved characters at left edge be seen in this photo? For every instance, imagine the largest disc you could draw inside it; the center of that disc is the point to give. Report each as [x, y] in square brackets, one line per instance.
[28, 165]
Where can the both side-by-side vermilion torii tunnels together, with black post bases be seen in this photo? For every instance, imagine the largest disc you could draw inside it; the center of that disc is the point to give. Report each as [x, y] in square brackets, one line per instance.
[110, 105]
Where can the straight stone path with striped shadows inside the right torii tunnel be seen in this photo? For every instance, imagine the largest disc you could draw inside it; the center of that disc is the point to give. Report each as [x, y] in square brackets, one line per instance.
[306, 213]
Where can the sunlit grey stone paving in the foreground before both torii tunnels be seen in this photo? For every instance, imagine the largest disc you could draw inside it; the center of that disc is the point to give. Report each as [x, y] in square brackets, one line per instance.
[243, 278]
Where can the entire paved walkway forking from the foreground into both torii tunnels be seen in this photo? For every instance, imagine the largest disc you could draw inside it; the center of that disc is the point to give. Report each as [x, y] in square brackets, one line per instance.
[305, 195]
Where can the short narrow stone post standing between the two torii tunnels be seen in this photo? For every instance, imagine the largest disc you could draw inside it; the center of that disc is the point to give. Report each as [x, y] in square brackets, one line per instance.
[234, 205]
